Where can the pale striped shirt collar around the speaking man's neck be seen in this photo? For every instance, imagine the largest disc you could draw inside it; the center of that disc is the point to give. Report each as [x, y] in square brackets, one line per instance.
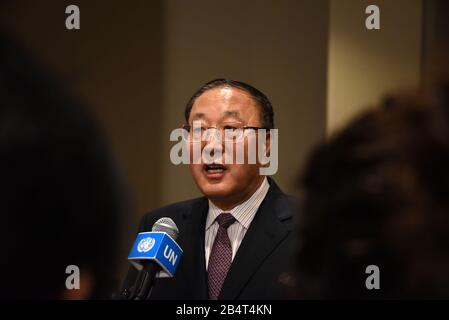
[244, 212]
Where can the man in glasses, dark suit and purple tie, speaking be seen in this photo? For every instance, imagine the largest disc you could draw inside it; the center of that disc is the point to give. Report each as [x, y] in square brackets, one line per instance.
[236, 239]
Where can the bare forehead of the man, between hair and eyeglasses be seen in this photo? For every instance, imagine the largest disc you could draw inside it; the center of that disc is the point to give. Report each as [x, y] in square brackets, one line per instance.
[225, 102]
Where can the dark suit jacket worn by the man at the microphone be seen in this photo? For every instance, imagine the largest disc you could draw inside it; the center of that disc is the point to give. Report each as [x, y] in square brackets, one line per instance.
[260, 269]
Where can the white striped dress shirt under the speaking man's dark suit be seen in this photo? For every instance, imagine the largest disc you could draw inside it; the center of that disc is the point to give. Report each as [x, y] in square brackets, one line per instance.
[243, 213]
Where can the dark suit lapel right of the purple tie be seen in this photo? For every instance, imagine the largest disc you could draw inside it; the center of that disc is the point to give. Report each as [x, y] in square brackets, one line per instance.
[264, 234]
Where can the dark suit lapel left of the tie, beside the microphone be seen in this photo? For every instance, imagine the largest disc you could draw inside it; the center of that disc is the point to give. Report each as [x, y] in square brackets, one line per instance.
[195, 265]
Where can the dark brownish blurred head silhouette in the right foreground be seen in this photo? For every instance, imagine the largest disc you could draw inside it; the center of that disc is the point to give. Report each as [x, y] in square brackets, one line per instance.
[377, 193]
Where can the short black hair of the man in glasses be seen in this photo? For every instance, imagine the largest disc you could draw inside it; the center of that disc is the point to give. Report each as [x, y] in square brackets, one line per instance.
[267, 114]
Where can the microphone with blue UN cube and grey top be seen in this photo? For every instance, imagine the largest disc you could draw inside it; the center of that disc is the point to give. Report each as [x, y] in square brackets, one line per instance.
[155, 254]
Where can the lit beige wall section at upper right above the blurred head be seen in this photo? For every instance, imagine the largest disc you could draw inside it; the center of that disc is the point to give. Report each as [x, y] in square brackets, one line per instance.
[364, 65]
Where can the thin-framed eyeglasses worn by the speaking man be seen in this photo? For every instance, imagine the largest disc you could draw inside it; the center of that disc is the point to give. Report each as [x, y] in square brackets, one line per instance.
[232, 132]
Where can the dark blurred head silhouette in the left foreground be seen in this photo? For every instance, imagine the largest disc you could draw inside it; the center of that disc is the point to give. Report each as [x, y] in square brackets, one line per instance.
[59, 189]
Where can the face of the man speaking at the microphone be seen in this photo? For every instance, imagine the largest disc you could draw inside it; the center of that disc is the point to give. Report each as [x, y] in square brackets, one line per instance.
[220, 107]
